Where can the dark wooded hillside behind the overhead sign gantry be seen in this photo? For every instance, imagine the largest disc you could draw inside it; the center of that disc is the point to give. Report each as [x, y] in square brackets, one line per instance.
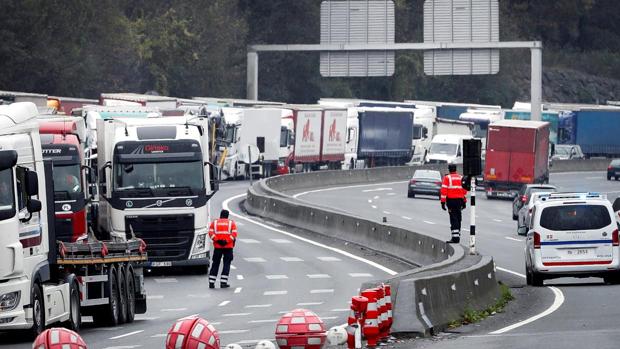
[190, 48]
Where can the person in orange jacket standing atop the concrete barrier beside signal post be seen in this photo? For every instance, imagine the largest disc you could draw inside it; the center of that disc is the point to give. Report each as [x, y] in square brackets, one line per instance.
[454, 196]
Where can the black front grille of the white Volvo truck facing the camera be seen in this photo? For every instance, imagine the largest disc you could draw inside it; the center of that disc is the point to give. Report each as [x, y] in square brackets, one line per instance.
[167, 237]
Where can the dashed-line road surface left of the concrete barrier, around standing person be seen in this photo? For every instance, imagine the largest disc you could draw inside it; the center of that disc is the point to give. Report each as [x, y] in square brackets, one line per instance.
[273, 273]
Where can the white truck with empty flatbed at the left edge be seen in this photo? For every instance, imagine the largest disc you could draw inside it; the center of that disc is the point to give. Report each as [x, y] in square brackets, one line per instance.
[43, 283]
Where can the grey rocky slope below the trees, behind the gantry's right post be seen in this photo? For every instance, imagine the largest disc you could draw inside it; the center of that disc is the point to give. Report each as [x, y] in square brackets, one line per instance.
[571, 86]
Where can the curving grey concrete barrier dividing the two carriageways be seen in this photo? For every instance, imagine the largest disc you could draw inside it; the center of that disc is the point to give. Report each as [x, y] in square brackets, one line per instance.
[426, 298]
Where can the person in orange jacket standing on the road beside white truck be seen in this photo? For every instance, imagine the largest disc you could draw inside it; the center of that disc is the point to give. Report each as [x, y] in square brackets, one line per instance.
[223, 233]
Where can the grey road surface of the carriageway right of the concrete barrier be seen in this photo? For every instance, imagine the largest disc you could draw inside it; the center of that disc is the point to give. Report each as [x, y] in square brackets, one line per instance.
[583, 312]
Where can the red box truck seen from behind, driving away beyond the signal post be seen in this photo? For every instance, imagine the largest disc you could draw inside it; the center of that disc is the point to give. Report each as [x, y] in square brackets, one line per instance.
[517, 153]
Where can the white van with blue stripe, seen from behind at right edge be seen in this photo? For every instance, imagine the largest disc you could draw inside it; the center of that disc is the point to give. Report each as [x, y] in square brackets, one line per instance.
[572, 234]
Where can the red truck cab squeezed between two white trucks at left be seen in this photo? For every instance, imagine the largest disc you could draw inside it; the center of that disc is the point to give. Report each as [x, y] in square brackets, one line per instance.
[63, 148]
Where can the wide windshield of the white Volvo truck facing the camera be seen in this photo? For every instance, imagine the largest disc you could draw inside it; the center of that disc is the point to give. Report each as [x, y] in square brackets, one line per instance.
[163, 175]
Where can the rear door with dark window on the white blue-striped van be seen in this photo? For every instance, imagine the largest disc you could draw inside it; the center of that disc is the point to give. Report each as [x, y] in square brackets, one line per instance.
[577, 234]
